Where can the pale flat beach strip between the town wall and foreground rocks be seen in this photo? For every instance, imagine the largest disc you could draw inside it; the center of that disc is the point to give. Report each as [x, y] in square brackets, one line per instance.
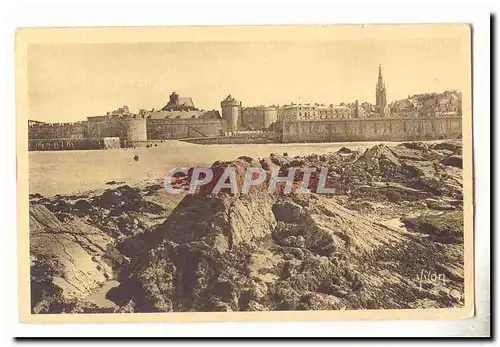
[74, 172]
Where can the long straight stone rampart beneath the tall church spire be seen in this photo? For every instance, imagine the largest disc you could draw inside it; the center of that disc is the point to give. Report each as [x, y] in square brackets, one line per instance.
[388, 129]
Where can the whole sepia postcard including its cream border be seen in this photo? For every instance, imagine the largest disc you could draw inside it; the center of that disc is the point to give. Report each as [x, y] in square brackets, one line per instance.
[260, 173]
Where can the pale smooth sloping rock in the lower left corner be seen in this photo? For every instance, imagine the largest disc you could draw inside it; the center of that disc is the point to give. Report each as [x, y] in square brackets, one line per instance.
[69, 259]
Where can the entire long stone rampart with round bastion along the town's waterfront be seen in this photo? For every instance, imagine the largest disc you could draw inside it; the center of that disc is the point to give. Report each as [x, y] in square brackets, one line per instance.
[140, 132]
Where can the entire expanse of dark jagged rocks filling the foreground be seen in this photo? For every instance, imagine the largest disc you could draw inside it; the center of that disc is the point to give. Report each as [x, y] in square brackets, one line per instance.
[391, 237]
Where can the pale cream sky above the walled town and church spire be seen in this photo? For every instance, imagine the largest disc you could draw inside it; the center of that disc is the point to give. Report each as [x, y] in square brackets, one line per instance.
[69, 82]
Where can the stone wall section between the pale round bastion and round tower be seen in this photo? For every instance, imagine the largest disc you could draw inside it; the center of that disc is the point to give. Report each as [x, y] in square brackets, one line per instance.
[164, 129]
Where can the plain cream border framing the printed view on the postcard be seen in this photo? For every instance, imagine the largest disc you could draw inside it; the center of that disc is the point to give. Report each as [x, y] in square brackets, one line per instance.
[27, 36]
